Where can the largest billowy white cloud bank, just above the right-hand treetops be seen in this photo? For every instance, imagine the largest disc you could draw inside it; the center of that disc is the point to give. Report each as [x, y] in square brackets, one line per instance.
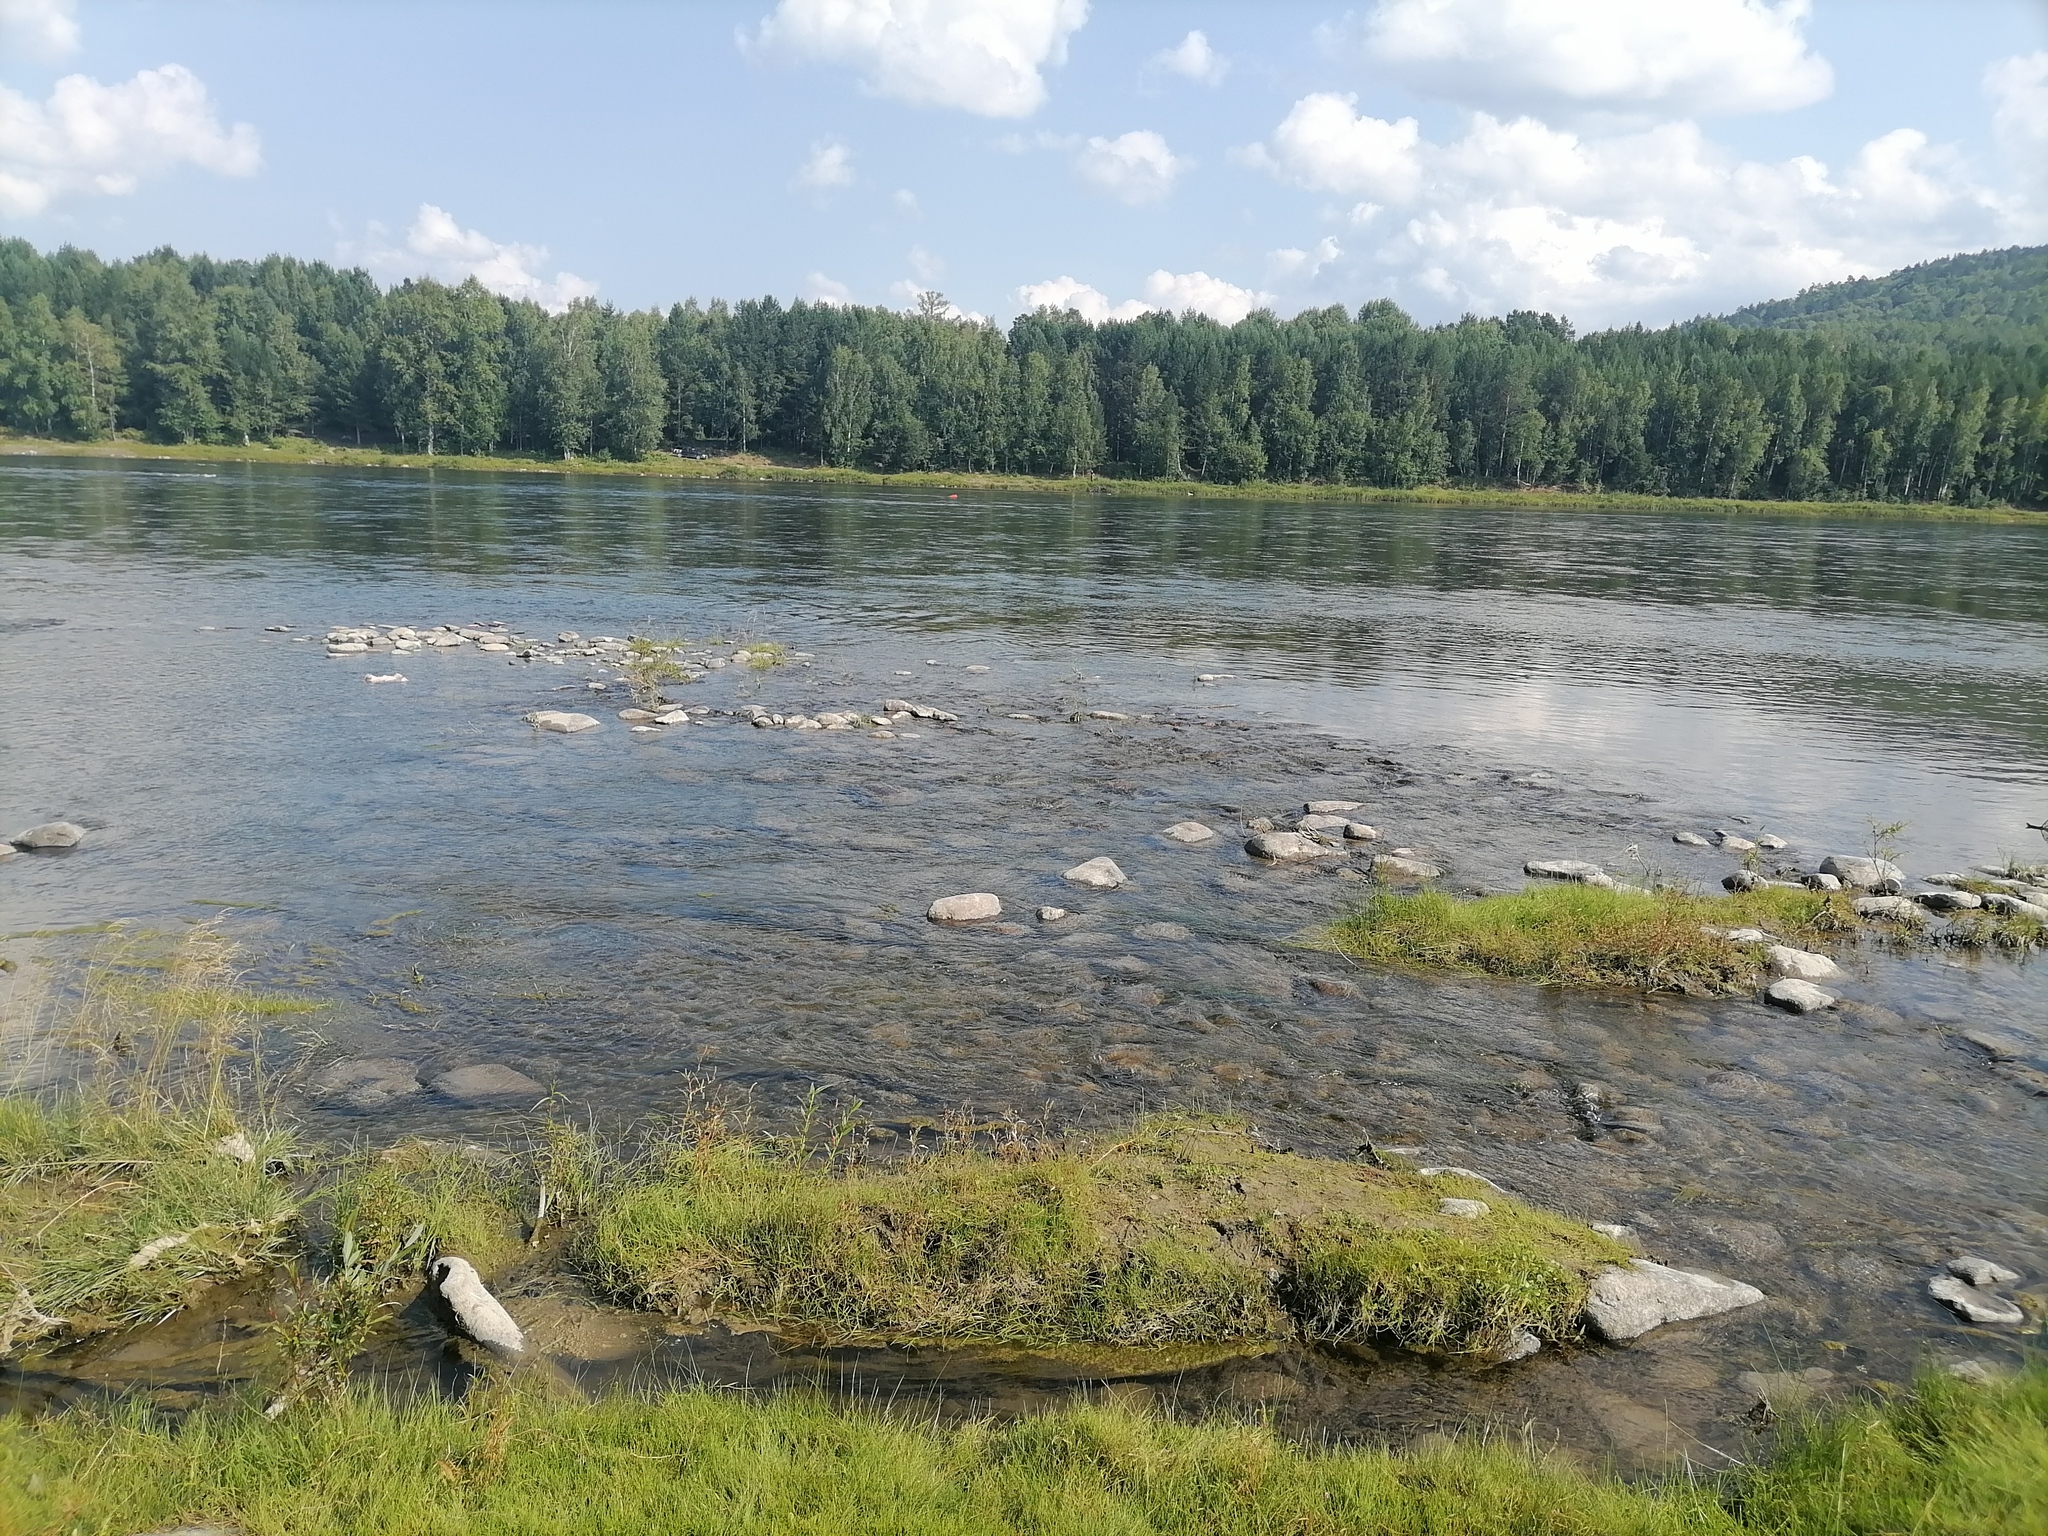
[1631, 224]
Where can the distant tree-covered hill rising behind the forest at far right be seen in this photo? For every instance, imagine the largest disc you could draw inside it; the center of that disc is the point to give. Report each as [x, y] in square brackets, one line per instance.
[1994, 296]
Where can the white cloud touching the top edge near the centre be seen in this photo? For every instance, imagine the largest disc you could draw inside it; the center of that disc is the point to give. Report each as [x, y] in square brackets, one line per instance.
[978, 56]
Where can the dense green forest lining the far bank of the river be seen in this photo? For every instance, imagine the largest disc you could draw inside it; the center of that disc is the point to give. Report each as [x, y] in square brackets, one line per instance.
[1930, 394]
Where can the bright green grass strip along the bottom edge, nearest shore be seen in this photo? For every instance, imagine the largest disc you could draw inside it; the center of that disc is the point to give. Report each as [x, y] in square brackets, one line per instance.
[1947, 1461]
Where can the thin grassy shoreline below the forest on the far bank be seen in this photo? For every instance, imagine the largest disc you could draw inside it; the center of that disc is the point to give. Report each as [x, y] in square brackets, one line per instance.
[761, 468]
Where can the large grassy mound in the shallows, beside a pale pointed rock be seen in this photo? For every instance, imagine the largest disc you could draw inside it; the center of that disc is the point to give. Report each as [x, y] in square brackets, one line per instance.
[1183, 1234]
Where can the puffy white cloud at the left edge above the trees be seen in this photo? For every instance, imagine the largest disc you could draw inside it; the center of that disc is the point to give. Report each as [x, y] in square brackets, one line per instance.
[93, 138]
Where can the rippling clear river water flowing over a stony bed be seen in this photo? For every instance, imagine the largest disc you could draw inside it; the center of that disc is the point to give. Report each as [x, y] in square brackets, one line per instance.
[615, 914]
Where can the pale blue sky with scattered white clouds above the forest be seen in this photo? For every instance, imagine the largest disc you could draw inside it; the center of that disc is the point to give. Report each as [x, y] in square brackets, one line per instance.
[1609, 161]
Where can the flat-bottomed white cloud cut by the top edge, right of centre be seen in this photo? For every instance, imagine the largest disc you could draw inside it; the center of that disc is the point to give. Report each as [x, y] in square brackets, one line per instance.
[1621, 56]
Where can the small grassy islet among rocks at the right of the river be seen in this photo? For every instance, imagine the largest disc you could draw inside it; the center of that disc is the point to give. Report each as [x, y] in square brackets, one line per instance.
[1670, 941]
